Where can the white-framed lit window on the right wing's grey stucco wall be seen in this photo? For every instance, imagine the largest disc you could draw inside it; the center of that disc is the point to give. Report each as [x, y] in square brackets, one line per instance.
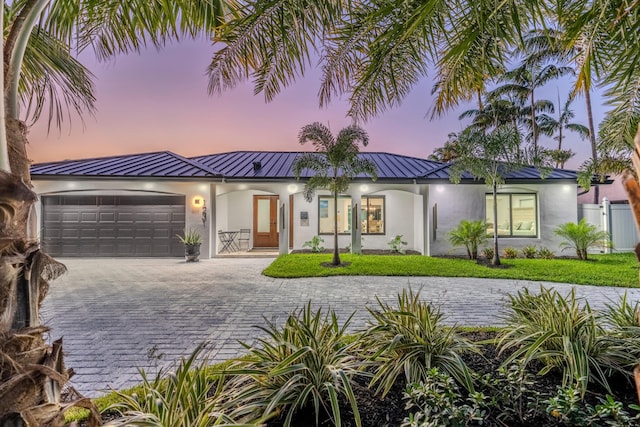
[516, 215]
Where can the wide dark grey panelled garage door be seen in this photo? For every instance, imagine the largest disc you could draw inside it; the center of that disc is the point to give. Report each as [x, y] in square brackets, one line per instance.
[113, 226]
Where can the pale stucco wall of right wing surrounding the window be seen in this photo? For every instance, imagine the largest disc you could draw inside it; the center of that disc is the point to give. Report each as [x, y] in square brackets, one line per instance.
[556, 205]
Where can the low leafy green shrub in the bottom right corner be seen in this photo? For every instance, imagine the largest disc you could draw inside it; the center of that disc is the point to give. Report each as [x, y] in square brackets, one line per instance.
[568, 409]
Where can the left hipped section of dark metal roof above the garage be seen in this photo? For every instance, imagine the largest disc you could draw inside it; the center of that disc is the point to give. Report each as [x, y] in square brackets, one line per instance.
[163, 164]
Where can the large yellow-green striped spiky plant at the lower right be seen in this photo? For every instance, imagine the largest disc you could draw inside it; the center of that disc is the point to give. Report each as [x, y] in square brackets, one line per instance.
[564, 334]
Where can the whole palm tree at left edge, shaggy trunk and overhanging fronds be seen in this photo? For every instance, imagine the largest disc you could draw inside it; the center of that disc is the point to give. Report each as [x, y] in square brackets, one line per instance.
[39, 69]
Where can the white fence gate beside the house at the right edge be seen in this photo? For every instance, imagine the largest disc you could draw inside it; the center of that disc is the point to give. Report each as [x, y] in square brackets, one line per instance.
[617, 220]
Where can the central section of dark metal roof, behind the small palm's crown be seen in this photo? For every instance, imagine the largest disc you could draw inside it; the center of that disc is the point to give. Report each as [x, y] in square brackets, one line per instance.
[277, 165]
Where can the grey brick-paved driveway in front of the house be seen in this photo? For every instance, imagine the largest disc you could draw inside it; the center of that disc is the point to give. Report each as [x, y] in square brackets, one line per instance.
[117, 315]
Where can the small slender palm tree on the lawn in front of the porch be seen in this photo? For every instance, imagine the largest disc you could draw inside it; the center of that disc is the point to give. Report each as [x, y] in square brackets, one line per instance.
[334, 163]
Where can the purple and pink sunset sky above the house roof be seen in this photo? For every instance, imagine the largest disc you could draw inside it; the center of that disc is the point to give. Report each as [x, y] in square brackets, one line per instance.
[158, 101]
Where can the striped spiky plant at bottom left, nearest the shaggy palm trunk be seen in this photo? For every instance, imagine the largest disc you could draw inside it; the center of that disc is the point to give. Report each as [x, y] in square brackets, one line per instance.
[189, 397]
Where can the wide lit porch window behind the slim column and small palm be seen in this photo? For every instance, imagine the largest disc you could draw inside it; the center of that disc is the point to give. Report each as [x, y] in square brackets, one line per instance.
[372, 214]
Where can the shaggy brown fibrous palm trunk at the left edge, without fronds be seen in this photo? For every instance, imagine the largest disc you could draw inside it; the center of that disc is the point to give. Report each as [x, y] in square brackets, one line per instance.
[32, 373]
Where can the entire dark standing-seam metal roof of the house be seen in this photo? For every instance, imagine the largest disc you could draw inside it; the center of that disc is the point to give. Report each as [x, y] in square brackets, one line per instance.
[258, 165]
